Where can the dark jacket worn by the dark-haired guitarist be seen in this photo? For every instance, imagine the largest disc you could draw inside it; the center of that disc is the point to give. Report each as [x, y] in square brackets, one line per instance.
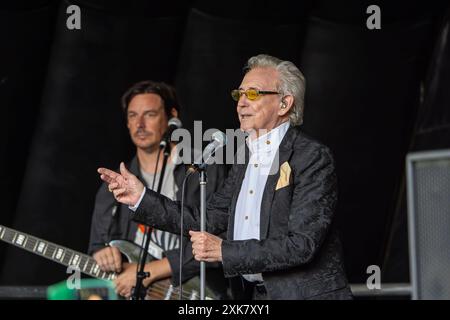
[112, 220]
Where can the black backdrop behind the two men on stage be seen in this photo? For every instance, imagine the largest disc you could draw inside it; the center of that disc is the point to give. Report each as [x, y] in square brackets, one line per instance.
[370, 93]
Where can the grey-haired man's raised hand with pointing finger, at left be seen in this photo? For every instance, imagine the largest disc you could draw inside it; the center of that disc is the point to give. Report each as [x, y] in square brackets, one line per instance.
[126, 187]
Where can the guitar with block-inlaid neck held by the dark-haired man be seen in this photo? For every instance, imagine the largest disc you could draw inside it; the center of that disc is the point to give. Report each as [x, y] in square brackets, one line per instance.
[159, 290]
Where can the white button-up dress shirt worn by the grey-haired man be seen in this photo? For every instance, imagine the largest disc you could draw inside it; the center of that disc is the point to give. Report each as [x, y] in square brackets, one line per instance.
[248, 208]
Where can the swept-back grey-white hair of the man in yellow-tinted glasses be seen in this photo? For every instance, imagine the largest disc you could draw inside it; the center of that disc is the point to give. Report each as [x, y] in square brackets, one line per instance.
[291, 82]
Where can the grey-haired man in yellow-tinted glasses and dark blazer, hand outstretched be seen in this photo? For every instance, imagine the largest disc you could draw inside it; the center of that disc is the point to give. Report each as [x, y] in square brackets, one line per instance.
[281, 241]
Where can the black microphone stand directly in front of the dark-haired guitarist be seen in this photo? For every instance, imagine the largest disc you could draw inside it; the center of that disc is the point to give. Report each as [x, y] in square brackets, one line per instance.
[140, 291]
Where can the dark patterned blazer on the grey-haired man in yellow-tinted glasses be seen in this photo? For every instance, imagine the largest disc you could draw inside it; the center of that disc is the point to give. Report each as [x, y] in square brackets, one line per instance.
[299, 254]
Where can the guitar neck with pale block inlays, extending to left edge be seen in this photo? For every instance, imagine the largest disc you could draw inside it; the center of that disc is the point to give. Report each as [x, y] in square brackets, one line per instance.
[54, 252]
